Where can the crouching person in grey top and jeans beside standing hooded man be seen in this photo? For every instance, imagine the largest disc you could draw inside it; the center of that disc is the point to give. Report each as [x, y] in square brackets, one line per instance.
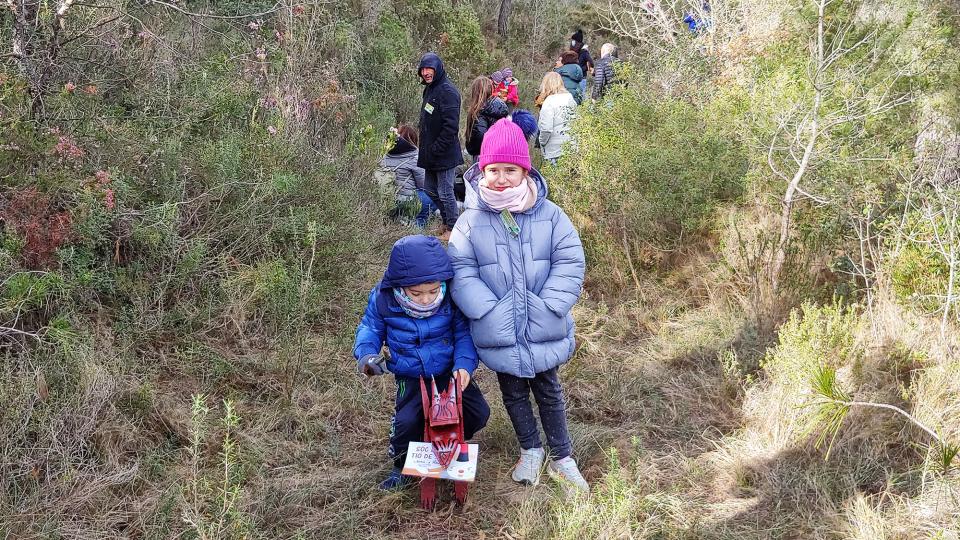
[413, 202]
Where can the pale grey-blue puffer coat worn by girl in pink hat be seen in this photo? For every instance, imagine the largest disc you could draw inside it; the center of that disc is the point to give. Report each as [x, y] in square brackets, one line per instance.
[517, 292]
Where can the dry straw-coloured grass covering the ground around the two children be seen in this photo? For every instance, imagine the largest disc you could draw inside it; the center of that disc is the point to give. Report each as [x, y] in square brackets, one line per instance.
[677, 431]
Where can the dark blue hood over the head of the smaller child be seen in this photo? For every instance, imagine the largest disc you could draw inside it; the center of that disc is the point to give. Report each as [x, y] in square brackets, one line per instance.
[417, 259]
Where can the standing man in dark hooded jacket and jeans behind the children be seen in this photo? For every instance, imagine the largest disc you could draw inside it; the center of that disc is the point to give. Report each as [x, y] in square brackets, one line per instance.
[440, 152]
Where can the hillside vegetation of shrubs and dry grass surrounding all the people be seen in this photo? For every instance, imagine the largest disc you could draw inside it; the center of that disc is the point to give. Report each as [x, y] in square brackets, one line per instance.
[189, 226]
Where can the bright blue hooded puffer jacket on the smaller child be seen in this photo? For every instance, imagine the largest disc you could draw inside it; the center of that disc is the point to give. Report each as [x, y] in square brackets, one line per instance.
[435, 345]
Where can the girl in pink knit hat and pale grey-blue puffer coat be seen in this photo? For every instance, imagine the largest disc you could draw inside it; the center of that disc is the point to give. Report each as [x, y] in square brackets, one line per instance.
[518, 270]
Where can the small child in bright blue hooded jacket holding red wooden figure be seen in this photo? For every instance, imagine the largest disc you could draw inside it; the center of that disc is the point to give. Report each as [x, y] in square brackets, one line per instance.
[410, 311]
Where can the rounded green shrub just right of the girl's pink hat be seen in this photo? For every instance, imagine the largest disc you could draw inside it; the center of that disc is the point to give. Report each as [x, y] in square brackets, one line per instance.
[646, 168]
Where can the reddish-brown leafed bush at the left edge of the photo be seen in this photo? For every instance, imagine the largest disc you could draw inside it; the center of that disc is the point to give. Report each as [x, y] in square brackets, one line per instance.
[42, 226]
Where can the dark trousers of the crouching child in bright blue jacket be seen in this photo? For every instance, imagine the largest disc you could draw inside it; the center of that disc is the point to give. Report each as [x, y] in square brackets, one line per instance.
[408, 416]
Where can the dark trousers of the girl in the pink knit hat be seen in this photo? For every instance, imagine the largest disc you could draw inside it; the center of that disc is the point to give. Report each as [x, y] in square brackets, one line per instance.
[549, 395]
